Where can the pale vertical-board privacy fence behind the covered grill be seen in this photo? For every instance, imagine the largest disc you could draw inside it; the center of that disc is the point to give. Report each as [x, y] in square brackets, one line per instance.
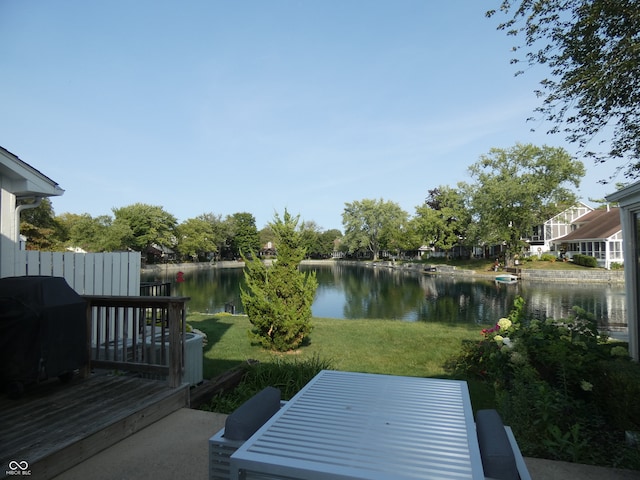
[116, 273]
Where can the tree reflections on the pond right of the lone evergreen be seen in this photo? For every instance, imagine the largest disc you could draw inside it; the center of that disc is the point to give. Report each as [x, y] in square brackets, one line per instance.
[386, 293]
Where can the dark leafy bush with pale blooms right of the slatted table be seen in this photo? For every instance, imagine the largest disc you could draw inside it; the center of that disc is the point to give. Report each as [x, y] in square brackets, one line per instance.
[553, 381]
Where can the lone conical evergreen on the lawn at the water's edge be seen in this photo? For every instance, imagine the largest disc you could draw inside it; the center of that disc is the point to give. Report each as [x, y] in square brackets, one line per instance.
[278, 298]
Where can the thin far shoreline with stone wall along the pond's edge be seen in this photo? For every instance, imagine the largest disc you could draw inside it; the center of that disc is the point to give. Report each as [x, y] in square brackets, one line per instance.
[535, 275]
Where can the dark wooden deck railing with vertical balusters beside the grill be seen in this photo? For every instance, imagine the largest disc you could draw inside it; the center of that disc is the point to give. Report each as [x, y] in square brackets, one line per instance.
[139, 334]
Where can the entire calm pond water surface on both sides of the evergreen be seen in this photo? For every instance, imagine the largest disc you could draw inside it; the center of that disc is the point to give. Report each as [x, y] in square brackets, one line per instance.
[348, 292]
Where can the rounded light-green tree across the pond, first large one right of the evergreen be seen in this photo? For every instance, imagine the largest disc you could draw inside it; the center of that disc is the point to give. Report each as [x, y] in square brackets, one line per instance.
[372, 225]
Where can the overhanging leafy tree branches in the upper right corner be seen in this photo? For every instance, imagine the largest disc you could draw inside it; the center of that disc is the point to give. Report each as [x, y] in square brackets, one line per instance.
[593, 50]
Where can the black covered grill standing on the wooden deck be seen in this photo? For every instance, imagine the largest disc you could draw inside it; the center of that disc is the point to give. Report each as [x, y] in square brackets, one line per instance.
[43, 330]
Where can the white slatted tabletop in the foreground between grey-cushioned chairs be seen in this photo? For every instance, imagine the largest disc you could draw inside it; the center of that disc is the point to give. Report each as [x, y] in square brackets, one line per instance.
[349, 425]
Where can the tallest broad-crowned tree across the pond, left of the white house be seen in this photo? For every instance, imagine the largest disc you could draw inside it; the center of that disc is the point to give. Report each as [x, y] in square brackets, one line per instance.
[517, 189]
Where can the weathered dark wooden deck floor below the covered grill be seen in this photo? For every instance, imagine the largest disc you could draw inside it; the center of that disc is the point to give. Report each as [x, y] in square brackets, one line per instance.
[55, 426]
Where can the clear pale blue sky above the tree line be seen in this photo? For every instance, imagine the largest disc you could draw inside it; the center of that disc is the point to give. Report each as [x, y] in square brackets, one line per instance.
[253, 106]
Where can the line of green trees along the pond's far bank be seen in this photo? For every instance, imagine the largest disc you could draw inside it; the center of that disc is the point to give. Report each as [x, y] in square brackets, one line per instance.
[513, 191]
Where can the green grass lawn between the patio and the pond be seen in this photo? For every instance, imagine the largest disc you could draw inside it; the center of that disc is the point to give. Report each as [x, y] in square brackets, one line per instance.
[416, 349]
